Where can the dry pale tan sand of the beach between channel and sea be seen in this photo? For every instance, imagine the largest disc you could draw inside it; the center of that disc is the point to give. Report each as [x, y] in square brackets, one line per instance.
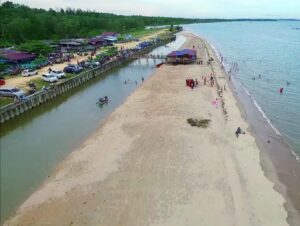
[146, 165]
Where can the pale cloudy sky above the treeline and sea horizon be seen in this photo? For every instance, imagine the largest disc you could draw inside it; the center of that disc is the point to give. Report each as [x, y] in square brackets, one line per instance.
[181, 8]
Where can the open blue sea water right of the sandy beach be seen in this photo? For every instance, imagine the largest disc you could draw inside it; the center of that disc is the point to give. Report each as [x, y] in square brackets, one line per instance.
[267, 55]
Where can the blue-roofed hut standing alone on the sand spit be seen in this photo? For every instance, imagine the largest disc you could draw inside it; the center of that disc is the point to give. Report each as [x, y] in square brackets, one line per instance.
[185, 56]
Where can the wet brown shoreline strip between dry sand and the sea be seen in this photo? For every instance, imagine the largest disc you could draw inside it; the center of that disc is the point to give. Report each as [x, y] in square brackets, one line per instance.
[278, 159]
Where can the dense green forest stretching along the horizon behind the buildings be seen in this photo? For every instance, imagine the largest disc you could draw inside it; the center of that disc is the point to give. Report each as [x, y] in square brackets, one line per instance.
[20, 23]
